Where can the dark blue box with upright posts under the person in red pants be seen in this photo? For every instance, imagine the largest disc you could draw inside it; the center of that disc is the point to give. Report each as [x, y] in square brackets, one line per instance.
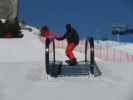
[58, 69]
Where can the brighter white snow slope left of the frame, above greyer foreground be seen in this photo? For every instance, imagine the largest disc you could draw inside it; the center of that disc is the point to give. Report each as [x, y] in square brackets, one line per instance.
[26, 49]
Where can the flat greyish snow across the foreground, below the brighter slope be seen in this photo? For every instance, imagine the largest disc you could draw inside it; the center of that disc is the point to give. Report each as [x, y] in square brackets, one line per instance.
[18, 83]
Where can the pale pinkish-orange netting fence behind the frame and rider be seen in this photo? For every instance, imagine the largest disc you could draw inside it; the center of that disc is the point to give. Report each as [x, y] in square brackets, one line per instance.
[104, 51]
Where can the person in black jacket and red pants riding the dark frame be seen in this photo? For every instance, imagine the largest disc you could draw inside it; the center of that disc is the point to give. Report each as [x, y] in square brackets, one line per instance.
[72, 39]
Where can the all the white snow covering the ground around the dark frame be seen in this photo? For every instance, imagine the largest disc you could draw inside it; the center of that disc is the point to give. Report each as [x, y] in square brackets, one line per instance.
[22, 67]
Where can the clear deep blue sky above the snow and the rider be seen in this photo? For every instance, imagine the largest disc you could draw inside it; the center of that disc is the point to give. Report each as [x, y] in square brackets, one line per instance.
[89, 17]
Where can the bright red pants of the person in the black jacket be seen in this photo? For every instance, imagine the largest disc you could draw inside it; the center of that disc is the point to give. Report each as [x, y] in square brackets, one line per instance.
[69, 51]
